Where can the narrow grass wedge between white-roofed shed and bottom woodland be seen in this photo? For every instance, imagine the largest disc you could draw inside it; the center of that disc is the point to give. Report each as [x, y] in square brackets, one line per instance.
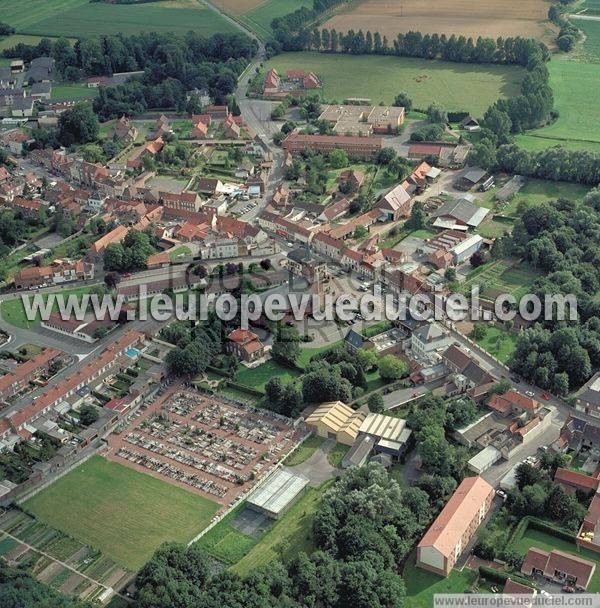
[288, 536]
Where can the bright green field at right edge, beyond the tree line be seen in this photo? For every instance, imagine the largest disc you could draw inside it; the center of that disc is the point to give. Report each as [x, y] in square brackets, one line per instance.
[577, 97]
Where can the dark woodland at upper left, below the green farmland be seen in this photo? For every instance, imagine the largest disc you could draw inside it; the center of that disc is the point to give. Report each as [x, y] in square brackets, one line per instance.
[172, 66]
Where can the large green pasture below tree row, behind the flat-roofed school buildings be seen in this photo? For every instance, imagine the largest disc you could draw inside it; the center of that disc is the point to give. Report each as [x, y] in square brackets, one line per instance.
[464, 87]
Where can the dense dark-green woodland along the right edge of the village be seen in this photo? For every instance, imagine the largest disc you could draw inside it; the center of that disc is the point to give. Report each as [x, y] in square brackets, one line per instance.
[562, 240]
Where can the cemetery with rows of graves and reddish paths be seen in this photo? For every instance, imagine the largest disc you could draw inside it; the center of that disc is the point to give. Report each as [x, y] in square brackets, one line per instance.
[204, 444]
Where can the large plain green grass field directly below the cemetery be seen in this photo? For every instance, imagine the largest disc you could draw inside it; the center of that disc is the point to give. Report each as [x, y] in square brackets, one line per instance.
[123, 513]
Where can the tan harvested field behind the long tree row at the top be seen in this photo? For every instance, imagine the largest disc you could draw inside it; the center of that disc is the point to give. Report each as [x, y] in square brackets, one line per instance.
[473, 18]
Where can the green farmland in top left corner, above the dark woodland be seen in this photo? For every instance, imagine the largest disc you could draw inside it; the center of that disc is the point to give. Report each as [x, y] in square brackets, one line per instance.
[68, 17]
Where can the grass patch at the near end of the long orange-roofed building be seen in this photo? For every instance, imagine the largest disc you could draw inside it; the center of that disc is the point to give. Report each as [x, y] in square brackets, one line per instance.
[422, 585]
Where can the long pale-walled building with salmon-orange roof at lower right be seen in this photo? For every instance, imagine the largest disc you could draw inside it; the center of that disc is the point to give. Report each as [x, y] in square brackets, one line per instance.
[455, 526]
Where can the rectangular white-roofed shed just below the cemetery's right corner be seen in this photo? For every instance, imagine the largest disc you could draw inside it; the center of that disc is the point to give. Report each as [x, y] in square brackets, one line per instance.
[277, 494]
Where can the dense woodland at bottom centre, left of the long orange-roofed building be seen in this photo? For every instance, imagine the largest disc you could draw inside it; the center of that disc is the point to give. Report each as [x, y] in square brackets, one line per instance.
[363, 531]
